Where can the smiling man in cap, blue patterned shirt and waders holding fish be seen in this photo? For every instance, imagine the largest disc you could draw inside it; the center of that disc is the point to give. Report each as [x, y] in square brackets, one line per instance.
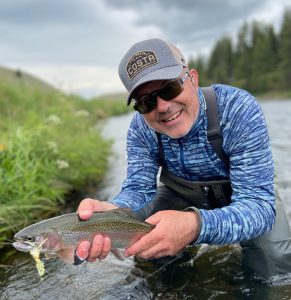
[205, 198]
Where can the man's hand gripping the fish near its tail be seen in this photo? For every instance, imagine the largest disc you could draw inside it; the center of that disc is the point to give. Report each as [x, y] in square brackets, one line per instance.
[174, 230]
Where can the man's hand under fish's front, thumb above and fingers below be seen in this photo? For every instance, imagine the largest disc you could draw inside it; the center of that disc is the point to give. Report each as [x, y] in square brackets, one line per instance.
[101, 245]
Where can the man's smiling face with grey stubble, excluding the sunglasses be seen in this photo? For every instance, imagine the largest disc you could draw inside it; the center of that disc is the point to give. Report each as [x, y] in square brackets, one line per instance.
[174, 117]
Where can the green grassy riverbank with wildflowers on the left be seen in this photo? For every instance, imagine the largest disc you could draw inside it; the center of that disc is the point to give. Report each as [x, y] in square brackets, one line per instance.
[50, 145]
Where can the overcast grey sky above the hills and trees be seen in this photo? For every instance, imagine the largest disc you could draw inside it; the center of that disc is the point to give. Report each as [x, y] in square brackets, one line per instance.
[76, 45]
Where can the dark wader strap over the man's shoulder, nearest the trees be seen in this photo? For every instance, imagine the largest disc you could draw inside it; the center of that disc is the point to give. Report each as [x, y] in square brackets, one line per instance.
[213, 131]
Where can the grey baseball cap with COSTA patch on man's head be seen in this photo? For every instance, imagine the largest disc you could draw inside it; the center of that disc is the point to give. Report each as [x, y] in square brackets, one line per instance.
[149, 60]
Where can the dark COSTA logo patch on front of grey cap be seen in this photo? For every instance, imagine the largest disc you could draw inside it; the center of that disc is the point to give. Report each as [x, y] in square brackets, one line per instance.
[139, 61]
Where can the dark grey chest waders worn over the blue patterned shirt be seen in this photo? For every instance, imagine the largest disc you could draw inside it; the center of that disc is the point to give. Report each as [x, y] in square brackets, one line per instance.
[267, 255]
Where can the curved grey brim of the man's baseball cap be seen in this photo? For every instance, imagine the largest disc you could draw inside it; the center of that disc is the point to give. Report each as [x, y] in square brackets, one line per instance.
[167, 73]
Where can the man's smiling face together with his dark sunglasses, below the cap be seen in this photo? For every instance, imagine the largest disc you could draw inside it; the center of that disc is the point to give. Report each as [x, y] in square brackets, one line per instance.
[174, 118]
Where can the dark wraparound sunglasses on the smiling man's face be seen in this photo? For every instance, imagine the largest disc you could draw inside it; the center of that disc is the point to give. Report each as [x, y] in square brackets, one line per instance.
[146, 103]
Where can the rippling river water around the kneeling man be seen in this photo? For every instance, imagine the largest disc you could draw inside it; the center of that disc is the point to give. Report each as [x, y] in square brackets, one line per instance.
[212, 273]
